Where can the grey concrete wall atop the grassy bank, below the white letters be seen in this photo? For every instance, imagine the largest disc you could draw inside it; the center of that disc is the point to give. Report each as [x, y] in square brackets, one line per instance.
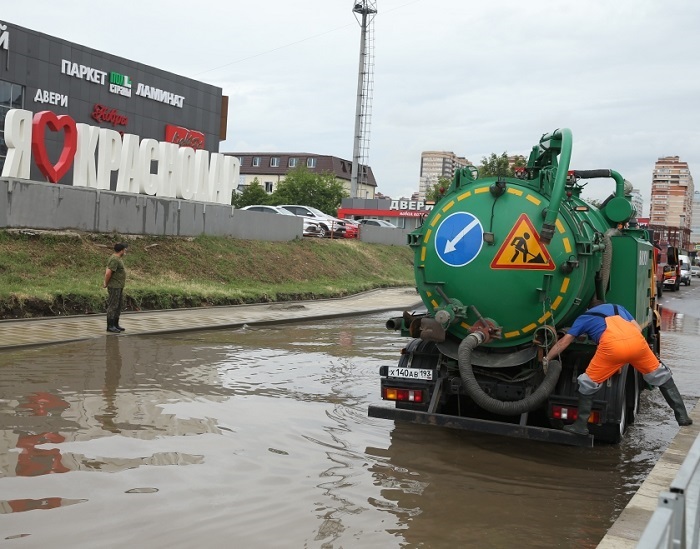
[38, 205]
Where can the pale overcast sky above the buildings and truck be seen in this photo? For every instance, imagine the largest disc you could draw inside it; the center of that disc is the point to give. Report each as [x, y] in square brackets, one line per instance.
[468, 77]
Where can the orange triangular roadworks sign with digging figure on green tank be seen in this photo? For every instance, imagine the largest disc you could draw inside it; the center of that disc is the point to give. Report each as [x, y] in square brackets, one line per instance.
[522, 249]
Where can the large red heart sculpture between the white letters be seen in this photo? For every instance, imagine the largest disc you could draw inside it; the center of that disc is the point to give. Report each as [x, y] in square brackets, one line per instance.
[41, 121]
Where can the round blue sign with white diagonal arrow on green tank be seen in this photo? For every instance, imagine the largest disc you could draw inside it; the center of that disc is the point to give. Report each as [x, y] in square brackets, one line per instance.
[458, 239]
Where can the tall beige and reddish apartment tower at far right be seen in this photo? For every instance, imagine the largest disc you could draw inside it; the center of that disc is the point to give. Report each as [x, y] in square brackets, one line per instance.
[672, 193]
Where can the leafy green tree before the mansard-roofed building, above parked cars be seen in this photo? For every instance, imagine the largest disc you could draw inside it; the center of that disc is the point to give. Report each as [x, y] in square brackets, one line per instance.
[300, 186]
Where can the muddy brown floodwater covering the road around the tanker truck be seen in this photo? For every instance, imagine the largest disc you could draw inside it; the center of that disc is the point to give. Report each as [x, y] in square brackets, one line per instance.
[259, 437]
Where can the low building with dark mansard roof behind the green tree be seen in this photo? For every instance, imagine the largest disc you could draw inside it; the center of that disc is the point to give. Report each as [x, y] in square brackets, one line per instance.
[271, 168]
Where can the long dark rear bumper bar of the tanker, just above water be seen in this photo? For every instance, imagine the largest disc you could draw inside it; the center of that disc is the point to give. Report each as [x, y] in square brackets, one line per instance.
[482, 426]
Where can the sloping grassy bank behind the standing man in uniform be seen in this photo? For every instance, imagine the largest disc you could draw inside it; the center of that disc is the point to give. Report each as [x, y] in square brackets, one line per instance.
[50, 273]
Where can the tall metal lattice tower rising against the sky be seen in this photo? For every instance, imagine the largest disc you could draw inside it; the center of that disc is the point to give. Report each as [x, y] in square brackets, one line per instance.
[365, 11]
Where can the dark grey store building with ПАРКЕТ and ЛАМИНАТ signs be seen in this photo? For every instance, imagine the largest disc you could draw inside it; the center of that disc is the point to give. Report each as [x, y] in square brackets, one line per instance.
[44, 73]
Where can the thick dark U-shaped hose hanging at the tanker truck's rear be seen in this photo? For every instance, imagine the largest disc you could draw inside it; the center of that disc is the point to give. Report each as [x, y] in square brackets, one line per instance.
[505, 408]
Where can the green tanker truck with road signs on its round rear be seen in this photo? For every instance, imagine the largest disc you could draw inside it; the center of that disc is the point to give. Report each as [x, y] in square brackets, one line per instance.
[503, 266]
